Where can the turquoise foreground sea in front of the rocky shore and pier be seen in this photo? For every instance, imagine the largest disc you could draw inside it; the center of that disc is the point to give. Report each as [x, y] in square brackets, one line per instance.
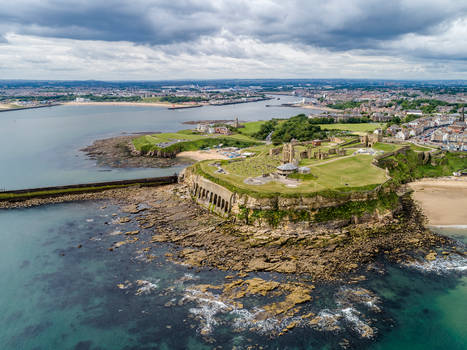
[55, 295]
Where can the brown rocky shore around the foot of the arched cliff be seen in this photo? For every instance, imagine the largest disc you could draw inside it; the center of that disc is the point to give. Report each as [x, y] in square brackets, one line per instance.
[204, 240]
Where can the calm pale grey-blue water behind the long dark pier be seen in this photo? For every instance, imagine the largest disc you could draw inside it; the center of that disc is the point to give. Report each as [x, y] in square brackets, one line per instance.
[40, 147]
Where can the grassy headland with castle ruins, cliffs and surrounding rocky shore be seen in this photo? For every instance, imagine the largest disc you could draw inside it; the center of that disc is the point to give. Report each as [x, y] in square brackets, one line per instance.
[324, 205]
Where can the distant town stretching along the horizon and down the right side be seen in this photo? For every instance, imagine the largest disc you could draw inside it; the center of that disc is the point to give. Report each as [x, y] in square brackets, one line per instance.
[429, 113]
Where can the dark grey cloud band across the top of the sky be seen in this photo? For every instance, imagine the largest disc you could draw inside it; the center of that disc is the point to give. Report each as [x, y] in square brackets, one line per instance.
[333, 24]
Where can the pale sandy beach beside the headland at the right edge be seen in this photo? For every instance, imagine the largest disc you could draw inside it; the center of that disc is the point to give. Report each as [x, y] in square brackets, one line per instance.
[443, 200]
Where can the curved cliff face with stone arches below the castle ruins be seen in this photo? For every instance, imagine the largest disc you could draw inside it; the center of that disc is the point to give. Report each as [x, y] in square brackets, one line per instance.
[353, 207]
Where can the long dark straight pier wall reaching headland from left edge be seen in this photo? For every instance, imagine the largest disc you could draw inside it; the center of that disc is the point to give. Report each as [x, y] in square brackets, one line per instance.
[44, 192]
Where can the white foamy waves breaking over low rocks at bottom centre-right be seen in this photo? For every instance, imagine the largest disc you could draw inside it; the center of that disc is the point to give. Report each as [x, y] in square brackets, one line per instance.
[211, 307]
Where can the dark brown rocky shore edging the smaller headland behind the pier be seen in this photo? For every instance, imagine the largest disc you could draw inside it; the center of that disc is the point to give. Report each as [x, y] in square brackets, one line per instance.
[117, 152]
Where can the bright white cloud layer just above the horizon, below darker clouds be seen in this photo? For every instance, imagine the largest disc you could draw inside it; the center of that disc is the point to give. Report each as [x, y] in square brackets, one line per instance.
[223, 56]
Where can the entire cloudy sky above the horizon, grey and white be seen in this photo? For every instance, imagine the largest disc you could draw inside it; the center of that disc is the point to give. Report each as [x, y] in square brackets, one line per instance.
[178, 39]
